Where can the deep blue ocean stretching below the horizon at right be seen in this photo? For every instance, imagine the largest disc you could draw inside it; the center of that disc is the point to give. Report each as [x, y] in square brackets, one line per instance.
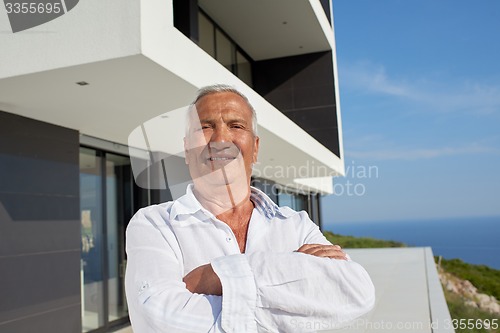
[474, 240]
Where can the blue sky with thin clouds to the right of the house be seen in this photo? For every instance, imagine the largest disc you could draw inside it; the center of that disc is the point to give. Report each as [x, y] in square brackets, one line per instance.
[420, 98]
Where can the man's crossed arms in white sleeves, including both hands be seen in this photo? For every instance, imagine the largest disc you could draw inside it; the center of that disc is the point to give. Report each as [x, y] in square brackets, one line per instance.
[262, 290]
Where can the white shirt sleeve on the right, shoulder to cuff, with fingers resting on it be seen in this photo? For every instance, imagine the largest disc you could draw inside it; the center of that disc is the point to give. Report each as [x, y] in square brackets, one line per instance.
[292, 292]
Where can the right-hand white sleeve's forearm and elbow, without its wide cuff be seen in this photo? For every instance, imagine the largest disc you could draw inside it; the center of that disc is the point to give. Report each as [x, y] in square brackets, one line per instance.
[303, 293]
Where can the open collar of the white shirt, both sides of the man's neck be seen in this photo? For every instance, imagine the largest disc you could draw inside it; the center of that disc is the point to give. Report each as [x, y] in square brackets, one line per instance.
[189, 205]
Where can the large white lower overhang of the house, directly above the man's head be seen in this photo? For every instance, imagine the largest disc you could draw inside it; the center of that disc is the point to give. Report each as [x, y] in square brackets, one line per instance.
[142, 69]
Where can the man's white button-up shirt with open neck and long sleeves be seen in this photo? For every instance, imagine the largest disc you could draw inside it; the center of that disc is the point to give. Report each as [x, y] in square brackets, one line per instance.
[269, 288]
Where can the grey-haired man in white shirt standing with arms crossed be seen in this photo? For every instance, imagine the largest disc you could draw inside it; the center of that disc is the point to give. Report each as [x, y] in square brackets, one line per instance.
[224, 257]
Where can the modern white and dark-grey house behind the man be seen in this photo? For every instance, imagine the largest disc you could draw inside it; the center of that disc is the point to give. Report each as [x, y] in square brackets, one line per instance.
[74, 89]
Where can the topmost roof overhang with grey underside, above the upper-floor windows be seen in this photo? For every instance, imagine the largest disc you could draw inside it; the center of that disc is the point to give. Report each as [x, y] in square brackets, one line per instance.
[273, 29]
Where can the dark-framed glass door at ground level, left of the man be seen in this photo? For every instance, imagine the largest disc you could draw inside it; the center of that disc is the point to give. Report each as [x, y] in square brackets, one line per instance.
[108, 199]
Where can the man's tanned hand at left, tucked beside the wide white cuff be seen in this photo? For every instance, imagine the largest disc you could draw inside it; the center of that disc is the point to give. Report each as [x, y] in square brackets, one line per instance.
[203, 280]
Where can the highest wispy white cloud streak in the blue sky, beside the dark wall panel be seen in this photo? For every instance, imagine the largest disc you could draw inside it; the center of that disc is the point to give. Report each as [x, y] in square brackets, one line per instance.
[470, 97]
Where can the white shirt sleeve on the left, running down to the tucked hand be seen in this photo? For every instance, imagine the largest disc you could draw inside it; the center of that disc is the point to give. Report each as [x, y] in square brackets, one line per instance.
[156, 294]
